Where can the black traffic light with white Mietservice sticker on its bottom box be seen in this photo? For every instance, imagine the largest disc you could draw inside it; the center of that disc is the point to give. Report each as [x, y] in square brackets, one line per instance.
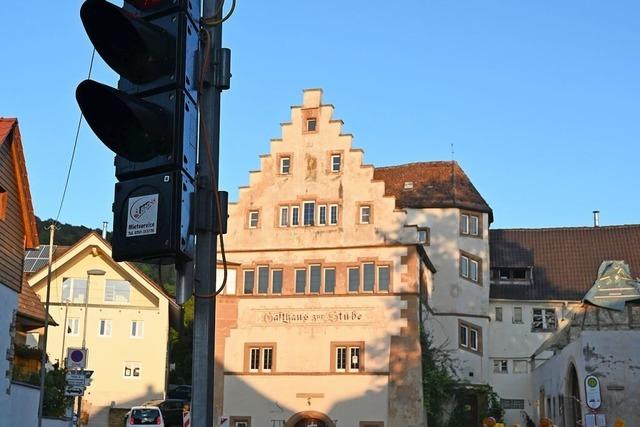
[150, 121]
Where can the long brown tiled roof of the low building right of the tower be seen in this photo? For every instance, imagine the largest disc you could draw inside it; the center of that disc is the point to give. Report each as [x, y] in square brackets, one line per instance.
[565, 260]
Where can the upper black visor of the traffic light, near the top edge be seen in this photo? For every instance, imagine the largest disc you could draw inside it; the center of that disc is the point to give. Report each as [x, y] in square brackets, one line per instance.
[138, 50]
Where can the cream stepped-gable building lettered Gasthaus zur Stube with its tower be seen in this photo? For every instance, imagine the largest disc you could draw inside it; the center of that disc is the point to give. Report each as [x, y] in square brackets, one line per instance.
[319, 321]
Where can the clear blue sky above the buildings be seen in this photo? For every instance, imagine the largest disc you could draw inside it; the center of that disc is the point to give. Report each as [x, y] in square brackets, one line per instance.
[540, 97]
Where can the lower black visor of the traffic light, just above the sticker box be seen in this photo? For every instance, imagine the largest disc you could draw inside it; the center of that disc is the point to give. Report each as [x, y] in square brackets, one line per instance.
[131, 127]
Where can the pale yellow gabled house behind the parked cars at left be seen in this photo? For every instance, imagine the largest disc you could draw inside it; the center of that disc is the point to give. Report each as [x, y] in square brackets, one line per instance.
[127, 325]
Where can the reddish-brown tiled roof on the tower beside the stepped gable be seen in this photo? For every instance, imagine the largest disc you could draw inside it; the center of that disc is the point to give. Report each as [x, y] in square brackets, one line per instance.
[435, 185]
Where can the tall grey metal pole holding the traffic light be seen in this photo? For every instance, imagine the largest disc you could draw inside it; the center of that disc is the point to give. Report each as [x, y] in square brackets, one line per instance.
[205, 274]
